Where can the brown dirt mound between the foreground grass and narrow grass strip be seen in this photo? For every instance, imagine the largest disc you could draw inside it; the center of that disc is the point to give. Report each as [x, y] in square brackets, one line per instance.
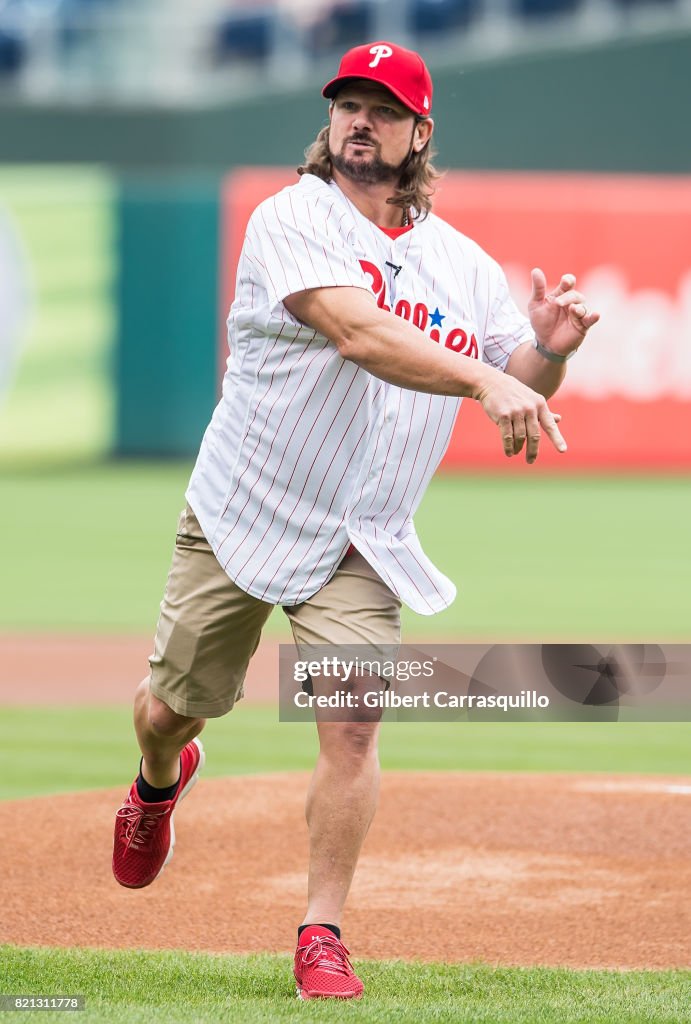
[575, 871]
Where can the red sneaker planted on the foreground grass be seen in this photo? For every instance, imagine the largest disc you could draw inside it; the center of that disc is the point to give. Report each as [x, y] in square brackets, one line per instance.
[323, 969]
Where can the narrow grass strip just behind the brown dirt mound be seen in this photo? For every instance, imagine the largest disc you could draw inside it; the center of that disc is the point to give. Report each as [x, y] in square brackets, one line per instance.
[63, 750]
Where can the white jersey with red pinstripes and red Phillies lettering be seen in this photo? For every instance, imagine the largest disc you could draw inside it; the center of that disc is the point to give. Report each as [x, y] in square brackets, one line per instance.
[308, 452]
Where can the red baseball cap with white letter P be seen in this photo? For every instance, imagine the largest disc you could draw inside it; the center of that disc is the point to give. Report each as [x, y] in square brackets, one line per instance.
[403, 72]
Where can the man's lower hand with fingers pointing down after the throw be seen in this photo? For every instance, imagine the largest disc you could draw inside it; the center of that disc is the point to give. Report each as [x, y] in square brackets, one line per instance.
[521, 414]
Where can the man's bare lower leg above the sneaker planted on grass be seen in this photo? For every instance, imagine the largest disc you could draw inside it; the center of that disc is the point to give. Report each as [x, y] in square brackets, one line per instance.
[341, 804]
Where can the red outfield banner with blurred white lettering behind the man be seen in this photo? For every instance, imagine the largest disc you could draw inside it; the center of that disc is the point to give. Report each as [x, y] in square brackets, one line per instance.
[627, 401]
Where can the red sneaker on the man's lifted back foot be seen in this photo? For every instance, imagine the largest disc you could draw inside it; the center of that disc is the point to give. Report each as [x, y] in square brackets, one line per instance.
[145, 835]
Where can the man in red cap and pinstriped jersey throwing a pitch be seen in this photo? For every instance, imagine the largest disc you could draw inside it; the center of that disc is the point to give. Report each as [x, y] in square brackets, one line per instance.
[360, 322]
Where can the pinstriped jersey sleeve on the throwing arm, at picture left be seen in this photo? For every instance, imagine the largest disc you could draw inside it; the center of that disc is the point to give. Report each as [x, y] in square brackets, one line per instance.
[298, 240]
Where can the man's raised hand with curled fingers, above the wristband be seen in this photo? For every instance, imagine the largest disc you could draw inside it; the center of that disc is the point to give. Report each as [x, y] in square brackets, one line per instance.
[560, 320]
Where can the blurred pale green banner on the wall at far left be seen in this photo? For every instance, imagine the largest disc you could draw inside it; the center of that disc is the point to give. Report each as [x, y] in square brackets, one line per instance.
[58, 264]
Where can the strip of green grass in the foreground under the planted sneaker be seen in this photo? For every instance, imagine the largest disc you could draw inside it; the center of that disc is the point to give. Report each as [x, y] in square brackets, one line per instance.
[179, 989]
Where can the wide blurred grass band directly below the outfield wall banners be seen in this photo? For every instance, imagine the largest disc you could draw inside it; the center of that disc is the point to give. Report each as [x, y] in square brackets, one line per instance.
[89, 548]
